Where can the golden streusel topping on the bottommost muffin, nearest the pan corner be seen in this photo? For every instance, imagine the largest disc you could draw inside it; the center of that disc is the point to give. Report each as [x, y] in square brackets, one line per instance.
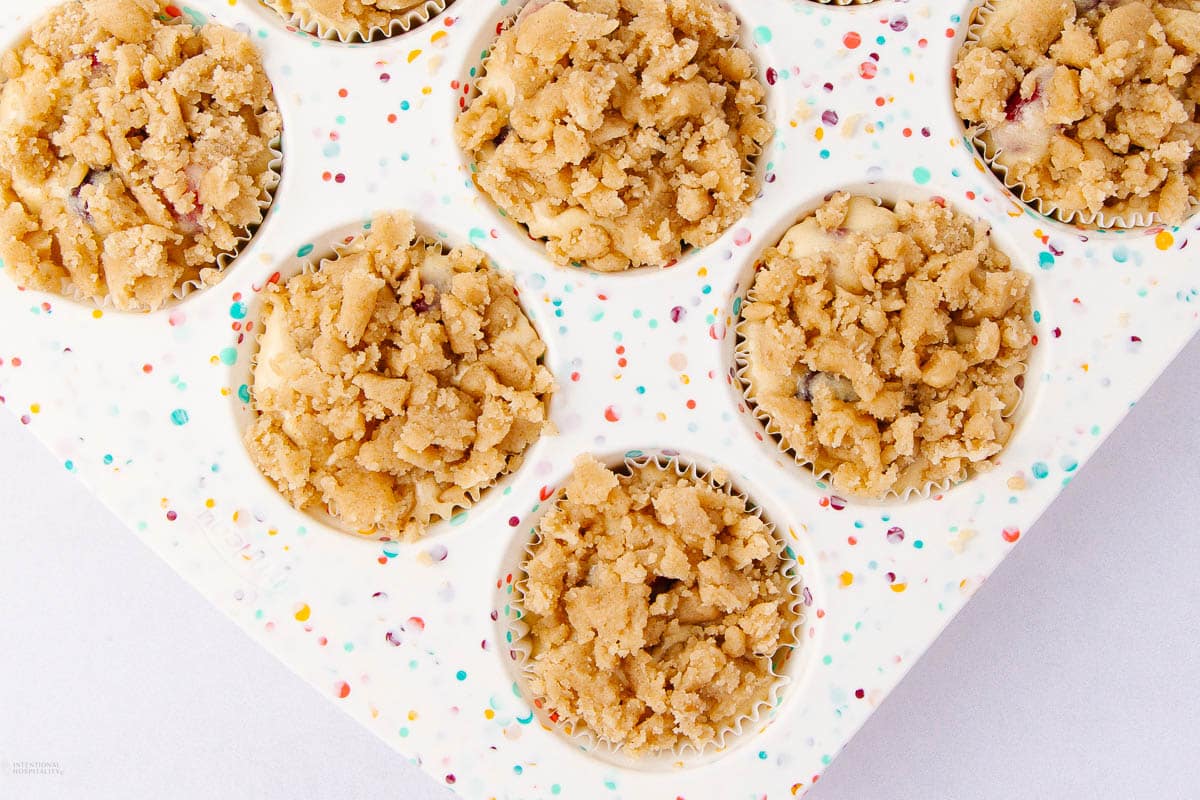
[656, 604]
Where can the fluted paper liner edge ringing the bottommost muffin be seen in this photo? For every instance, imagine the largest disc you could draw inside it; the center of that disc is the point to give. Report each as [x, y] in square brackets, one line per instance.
[577, 732]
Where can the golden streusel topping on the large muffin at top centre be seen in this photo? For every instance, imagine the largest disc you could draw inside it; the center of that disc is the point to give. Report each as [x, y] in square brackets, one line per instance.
[619, 133]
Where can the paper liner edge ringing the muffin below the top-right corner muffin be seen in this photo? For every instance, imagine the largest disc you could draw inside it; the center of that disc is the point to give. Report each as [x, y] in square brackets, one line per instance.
[741, 368]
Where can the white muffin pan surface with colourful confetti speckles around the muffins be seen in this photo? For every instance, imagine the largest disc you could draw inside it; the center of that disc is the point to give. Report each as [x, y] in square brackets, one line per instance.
[409, 639]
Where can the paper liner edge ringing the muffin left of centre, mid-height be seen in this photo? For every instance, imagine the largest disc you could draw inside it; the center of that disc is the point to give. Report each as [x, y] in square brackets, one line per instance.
[335, 245]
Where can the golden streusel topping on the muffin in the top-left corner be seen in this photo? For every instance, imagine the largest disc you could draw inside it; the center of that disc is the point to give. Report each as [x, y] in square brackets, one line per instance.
[134, 153]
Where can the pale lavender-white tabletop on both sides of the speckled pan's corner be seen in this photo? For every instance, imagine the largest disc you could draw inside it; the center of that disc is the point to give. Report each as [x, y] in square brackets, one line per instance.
[1072, 675]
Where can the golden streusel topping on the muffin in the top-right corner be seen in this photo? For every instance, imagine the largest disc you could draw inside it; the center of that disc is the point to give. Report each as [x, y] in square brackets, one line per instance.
[1091, 105]
